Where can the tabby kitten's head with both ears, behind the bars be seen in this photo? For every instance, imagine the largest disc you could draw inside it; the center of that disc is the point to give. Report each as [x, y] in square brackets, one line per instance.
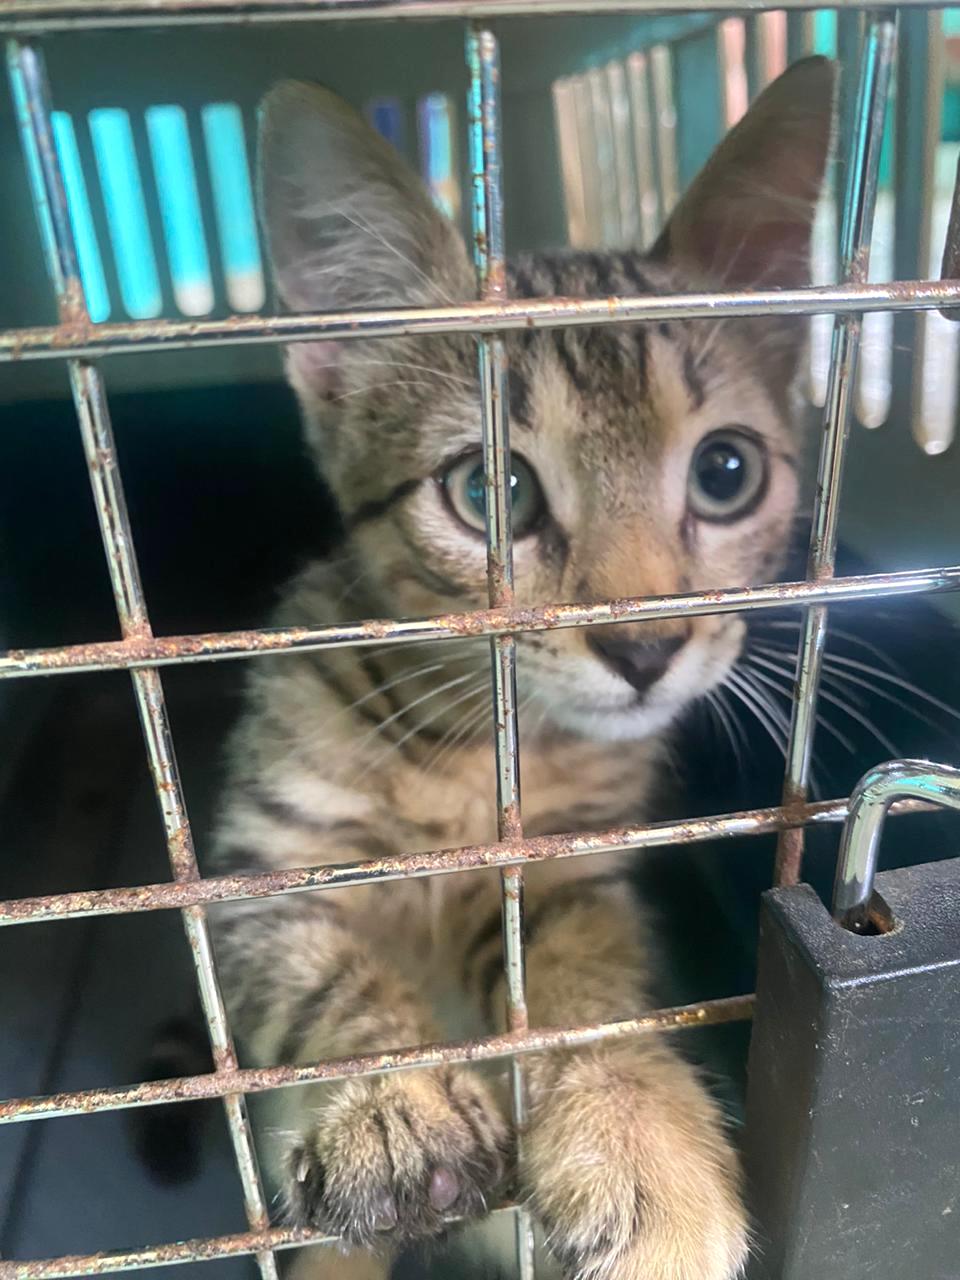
[648, 459]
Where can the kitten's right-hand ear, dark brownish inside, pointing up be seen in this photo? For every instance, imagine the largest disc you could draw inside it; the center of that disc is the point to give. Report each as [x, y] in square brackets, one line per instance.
[748, 217]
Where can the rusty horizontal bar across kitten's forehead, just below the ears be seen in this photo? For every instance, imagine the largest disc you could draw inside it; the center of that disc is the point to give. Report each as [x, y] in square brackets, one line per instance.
[84, 340]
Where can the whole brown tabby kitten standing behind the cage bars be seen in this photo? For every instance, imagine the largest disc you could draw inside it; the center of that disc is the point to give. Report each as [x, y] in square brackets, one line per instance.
[648, 459]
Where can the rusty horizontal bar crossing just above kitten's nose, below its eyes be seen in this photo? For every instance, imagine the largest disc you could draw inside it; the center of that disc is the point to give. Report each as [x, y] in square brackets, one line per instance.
[222, 646]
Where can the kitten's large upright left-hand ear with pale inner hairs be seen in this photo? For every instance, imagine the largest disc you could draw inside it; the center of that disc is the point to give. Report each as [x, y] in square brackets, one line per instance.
[349, 225]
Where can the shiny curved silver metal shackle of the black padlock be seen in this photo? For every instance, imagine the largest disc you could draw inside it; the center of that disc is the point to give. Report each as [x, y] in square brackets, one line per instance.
[860, 845]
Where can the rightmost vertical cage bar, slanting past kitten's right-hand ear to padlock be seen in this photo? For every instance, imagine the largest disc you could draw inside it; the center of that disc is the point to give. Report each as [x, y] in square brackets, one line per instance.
[860, 203]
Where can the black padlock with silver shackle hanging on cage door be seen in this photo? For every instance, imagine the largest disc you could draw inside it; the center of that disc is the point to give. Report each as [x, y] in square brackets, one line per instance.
[853, 1119]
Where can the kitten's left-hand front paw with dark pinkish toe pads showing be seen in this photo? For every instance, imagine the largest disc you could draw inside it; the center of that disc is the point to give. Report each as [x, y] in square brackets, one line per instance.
[394, 1156]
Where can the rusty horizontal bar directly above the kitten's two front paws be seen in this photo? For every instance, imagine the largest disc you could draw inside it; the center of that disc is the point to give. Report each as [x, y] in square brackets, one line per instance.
[486, 1049]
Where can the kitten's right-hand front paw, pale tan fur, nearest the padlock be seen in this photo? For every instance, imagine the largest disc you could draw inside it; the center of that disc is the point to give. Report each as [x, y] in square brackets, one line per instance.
[630, 1173]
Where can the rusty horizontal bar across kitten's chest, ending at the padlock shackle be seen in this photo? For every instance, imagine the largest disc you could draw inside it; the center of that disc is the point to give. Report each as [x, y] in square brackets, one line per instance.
[442, 862]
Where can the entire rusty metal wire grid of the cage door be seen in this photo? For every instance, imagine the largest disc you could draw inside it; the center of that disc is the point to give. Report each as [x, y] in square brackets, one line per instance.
[143, 653]
